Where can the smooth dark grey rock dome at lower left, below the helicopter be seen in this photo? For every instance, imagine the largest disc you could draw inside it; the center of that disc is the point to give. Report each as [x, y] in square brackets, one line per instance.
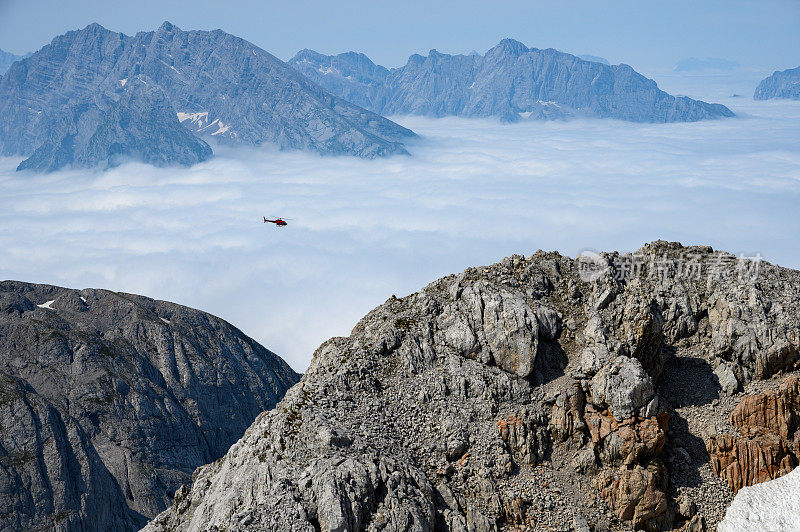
[109, 401]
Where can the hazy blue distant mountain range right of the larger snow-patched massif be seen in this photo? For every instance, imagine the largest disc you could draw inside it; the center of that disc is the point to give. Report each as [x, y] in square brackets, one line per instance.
[510, 82]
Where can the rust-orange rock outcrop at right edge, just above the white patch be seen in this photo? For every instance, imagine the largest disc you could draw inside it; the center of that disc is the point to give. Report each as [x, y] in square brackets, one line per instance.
[769, 444]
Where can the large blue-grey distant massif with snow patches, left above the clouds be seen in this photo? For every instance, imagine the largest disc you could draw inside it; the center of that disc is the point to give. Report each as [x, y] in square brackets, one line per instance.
[94, 96]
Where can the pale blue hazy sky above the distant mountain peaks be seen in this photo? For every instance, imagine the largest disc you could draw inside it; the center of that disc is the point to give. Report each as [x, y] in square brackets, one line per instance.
[650, 35]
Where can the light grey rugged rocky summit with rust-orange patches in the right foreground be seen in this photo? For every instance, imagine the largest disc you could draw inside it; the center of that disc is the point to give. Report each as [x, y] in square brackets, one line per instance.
[540, 393]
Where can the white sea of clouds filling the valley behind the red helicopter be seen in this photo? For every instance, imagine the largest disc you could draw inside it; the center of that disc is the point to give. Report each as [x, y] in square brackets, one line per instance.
[471, 193]
